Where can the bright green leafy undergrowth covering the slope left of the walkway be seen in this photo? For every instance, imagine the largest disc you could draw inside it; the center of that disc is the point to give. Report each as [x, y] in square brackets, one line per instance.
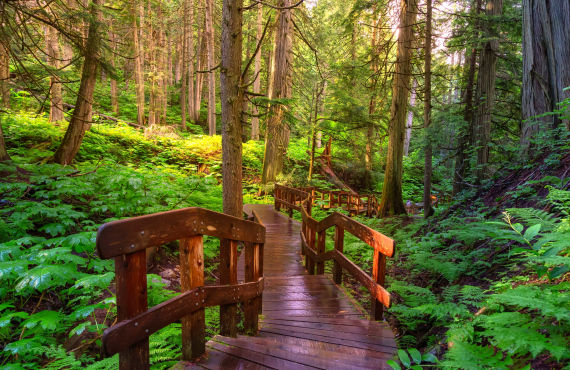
[57, 295]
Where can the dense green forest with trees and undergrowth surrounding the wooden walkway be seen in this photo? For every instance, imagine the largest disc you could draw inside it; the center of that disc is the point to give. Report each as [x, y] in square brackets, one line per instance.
[113, 109]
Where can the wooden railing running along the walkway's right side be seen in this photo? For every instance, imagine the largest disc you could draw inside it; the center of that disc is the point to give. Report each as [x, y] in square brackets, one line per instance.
[313, 238]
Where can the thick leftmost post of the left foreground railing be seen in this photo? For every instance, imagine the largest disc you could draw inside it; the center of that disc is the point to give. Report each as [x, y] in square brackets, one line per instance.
[130, 278]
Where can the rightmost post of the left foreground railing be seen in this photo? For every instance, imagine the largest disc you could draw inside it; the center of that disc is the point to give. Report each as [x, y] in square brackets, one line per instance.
[251, 309]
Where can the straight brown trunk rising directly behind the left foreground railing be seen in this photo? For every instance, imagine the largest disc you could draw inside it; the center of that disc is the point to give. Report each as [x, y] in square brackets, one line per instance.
[232, 98]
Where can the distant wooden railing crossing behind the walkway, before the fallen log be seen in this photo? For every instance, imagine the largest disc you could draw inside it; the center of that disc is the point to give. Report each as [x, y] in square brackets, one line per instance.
[353, 203]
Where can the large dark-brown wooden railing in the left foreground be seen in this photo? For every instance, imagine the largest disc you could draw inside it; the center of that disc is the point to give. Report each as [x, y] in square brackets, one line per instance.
[127, 240]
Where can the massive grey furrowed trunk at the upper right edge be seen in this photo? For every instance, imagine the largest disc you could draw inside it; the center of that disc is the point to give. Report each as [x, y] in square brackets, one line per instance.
[546, 72]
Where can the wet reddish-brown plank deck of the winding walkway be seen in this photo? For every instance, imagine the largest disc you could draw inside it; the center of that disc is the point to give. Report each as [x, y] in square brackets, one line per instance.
[308, 322]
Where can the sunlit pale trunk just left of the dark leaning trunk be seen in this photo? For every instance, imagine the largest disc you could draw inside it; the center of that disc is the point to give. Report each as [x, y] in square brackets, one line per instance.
[53, 57]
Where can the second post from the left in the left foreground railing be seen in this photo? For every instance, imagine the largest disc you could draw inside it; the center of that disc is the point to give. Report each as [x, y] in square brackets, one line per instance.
[192, 276]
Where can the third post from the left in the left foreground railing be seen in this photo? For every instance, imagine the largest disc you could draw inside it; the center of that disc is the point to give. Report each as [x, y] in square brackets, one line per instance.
[228, 276]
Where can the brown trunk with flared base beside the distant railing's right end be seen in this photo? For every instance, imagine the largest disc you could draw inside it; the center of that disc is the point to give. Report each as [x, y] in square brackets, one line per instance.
[391, 202]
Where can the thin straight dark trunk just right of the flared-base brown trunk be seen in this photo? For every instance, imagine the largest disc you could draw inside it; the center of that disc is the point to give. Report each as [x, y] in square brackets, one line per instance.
[428, 210]
